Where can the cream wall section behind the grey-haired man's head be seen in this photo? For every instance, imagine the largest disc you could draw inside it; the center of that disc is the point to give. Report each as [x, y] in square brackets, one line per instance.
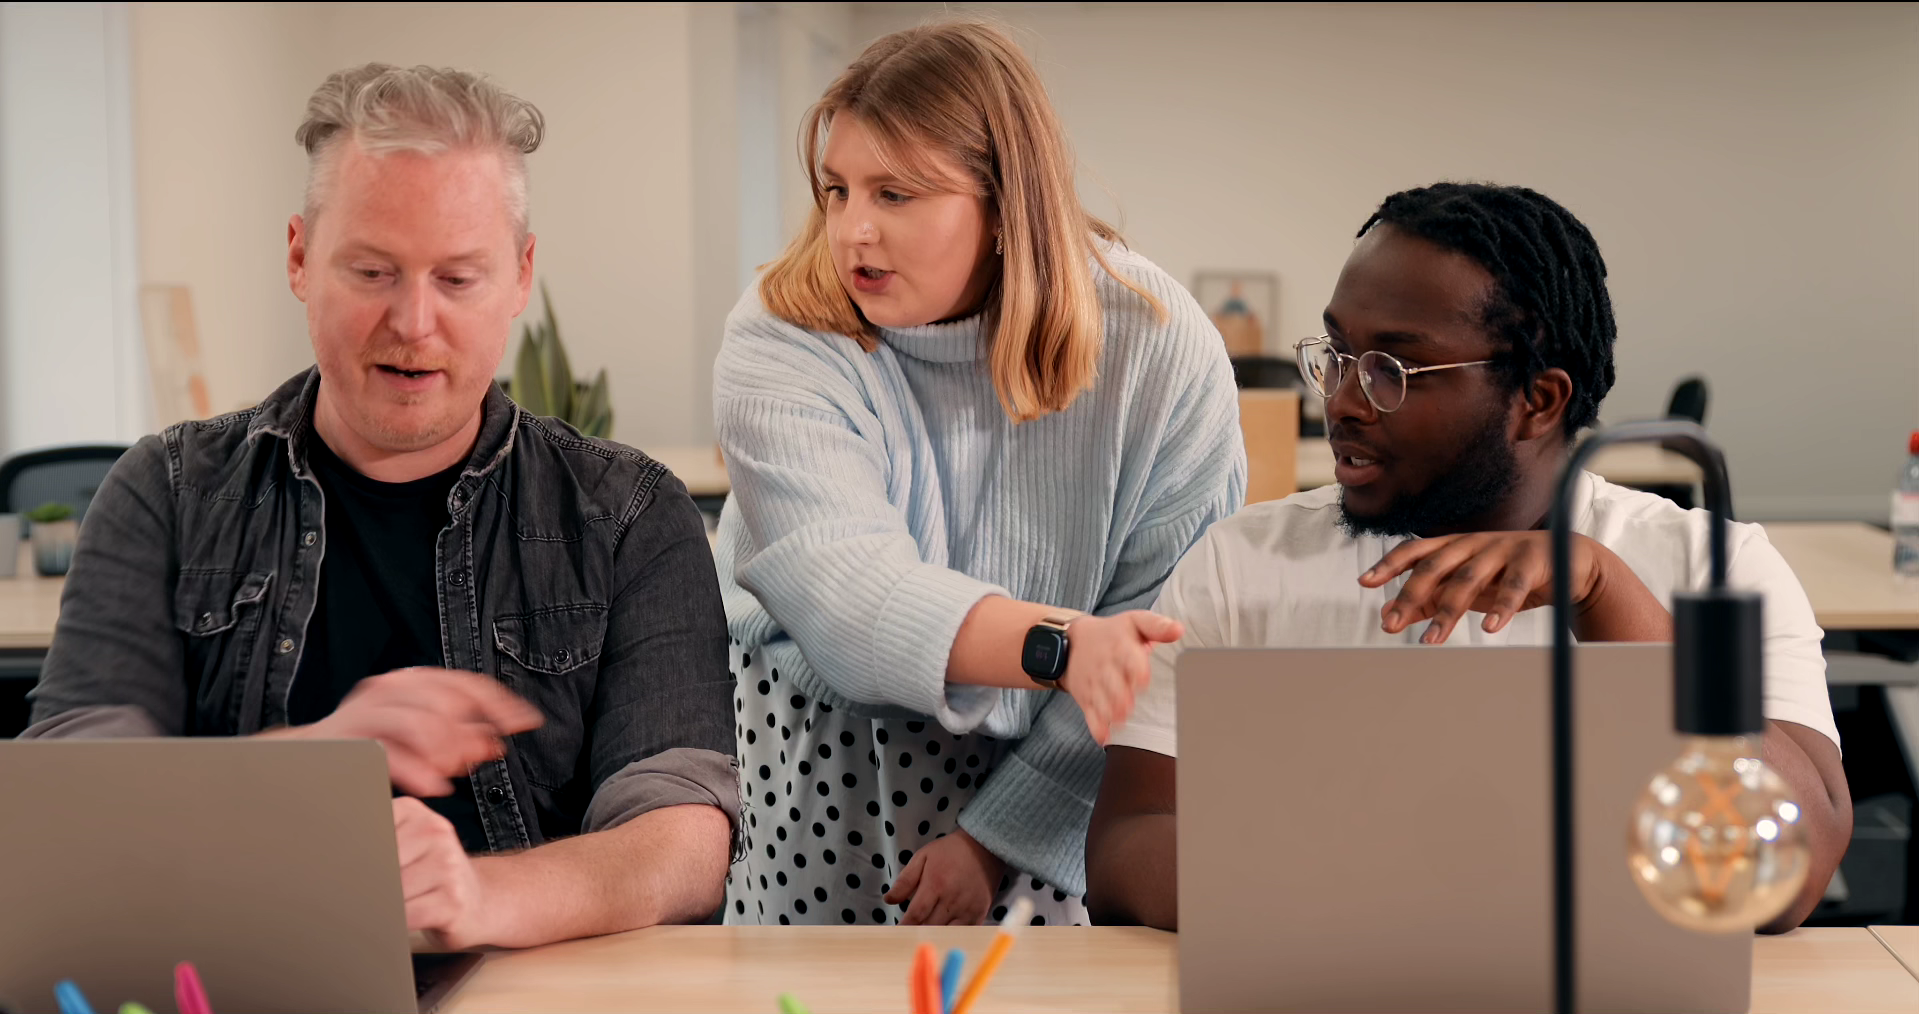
[638, 103]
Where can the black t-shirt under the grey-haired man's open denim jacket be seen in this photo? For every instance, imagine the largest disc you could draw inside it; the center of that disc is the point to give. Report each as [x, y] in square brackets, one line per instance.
[379, 604]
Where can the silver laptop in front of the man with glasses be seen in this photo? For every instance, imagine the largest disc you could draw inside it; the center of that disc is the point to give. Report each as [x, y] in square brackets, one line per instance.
[1371, 831]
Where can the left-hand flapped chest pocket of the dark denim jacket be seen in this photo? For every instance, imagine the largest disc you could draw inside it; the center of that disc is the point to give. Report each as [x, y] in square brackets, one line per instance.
[218, 616]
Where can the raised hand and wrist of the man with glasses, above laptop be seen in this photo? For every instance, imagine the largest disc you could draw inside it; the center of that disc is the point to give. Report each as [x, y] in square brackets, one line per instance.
[1505, 573]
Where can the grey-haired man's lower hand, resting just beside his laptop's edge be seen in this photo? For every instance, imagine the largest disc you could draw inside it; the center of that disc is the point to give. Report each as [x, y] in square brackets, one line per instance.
[438, 879]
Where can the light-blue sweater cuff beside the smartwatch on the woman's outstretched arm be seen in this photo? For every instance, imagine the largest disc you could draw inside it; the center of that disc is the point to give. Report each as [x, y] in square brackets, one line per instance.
[914, 639]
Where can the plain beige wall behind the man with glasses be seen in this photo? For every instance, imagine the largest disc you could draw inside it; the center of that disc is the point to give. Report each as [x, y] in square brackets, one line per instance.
[1751, 172]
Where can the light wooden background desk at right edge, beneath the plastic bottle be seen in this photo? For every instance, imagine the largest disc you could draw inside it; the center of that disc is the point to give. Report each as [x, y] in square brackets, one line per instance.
[1847, 571]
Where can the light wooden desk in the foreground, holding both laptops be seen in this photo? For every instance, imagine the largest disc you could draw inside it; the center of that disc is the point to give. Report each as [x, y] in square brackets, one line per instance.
[1053, 969]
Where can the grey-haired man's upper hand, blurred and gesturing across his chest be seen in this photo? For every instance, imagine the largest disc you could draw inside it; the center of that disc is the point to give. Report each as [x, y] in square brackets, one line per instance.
[435, 725]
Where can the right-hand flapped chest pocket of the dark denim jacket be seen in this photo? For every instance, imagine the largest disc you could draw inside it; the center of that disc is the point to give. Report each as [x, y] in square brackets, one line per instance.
[552, 658]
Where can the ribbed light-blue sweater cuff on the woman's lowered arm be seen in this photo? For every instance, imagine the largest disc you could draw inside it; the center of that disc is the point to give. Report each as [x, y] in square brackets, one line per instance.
[1037, 806]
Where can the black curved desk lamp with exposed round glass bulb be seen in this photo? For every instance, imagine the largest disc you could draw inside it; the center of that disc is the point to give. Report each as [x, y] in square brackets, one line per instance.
[1715, 842]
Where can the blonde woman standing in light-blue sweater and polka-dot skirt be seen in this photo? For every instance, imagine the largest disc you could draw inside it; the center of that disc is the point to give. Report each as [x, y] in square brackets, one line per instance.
[970, 435]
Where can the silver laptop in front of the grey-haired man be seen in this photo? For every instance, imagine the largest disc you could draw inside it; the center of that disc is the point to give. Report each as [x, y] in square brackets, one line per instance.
[272, 867]
